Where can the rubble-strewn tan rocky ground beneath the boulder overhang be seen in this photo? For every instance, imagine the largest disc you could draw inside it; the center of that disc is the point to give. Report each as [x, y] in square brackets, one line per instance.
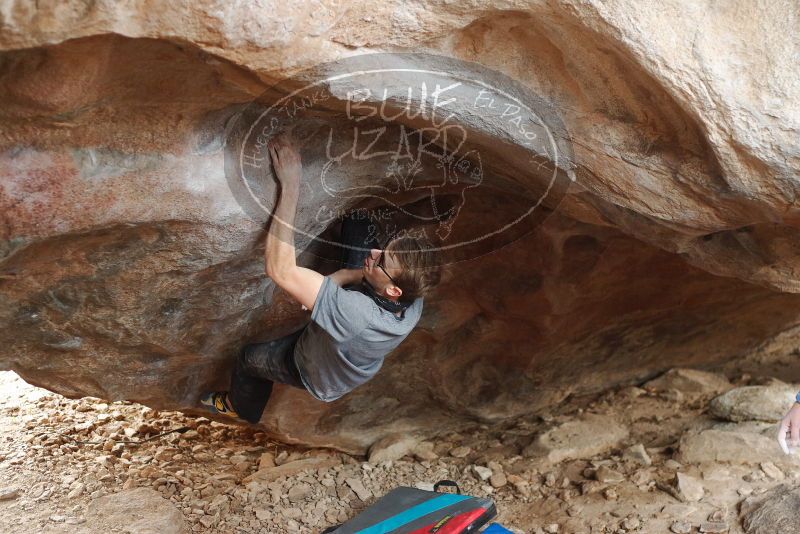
[687, 452]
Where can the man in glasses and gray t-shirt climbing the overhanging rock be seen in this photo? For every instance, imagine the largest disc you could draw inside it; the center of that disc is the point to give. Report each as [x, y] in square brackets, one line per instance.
[352, 329]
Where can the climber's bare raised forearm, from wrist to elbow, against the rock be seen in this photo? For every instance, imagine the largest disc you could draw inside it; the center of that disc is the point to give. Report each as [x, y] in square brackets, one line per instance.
[279, 253]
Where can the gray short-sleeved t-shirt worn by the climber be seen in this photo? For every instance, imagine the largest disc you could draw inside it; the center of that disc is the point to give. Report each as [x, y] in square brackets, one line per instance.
[348, 338]
